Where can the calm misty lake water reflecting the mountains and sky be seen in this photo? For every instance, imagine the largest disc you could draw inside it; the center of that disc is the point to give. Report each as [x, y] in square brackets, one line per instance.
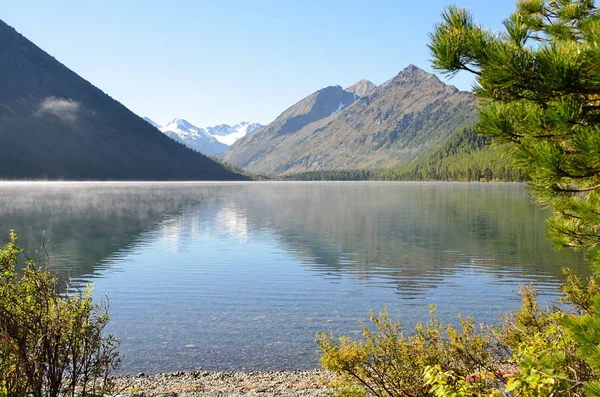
[241, 276]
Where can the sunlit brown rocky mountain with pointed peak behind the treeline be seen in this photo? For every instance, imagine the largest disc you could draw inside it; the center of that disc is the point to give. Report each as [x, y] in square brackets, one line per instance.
[410, 116]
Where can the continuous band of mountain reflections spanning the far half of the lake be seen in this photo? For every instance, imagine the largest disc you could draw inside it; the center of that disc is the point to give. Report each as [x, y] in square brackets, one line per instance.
[406, 234]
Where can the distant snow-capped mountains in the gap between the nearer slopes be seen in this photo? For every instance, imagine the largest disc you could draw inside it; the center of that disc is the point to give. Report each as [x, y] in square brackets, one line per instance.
[210, 140]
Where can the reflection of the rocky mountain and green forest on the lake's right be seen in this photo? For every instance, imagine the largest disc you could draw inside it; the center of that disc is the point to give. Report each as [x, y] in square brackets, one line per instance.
[411, 234]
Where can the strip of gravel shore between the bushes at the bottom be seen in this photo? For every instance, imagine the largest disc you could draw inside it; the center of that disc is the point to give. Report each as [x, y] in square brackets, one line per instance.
[203, 383]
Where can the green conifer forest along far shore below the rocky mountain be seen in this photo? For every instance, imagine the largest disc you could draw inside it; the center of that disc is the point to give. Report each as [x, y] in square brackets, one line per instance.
[466, 157]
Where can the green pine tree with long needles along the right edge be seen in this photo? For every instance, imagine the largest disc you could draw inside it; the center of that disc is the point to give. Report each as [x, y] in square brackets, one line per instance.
[538, 85]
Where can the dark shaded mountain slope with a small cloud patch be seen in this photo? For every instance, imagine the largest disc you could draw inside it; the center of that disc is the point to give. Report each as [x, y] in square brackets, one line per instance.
[56, 125]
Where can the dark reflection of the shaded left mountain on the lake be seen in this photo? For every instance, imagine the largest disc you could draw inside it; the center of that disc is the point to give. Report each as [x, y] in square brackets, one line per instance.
[85, 223]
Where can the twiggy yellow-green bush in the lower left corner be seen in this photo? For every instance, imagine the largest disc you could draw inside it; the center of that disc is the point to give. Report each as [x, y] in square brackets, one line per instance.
[50, 344]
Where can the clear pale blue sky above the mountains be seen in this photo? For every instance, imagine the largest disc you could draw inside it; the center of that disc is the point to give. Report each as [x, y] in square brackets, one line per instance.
[225, 61]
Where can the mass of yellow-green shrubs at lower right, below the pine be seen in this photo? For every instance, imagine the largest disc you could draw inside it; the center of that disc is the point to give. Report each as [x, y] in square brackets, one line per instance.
[529, 354]
